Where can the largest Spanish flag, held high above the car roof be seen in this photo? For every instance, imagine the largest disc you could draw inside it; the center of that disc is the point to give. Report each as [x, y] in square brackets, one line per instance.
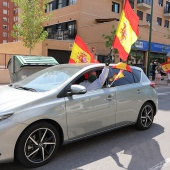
[127, 31]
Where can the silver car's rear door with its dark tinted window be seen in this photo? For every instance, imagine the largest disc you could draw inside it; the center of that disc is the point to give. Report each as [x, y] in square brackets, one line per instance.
[128, 97]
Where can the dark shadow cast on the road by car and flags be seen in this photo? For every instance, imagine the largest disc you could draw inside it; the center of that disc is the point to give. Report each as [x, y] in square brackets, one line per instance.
[141, 146]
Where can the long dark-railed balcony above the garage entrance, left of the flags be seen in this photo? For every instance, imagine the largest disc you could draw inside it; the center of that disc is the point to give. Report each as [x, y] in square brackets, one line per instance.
[62, 34]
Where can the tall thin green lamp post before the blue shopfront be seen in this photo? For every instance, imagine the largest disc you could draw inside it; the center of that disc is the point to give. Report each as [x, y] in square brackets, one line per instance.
[150, 37]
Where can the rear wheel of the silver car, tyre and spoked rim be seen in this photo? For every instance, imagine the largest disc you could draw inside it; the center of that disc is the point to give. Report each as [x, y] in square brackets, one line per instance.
[145, 117]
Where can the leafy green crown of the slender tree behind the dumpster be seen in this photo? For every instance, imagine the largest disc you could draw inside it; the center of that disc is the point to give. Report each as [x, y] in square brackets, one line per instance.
[31, 16]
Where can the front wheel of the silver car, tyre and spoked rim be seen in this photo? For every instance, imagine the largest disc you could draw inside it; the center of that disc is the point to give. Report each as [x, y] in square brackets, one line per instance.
[37, 144]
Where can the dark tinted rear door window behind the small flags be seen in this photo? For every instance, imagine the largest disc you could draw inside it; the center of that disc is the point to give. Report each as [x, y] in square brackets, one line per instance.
[127, 79]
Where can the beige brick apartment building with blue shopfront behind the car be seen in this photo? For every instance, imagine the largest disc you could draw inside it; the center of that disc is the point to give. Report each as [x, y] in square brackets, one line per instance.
[90, 19]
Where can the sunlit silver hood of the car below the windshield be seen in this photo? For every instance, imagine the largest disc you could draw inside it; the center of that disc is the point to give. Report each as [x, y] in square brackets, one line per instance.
[11, 97]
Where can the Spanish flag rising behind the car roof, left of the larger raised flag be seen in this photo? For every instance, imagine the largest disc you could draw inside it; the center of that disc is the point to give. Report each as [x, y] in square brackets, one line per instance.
[80, 53]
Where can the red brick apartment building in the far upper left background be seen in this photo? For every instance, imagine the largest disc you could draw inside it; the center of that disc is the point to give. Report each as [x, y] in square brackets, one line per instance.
[8, 17]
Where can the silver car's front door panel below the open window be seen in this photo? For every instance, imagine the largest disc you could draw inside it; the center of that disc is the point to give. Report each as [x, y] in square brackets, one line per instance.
[90, 112]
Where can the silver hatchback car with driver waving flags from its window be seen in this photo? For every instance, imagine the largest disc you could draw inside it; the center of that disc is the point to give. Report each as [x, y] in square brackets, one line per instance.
[50, 108]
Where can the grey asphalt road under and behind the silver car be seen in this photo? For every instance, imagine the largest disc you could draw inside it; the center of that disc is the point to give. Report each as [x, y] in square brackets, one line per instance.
[126, 148]
